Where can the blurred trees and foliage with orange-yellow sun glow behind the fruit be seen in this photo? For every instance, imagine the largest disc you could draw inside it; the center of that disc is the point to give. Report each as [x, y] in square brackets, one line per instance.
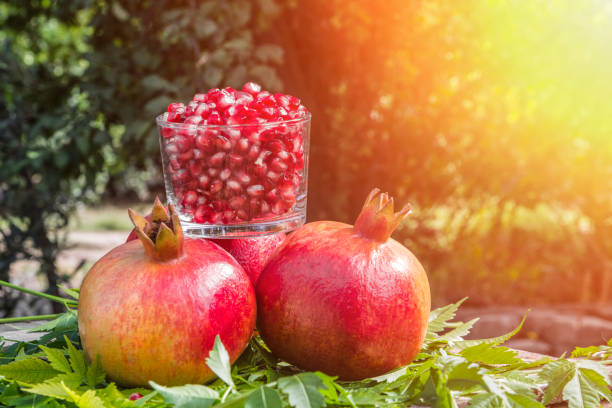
[493, 118]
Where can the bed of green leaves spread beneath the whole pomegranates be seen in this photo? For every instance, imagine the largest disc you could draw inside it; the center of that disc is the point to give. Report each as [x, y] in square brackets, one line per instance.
[485, 374]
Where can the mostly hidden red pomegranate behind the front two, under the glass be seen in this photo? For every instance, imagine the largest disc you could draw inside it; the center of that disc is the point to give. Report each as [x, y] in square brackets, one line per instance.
[251, 253]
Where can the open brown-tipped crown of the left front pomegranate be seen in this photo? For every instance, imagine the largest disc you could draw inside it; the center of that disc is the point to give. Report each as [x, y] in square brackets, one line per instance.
[161, 235]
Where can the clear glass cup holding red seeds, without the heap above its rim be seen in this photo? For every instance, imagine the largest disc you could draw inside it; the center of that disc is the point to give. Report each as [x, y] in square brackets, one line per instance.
[236, 181]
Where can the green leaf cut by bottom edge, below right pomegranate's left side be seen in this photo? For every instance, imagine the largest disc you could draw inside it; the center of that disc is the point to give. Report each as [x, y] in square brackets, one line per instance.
[303, 390]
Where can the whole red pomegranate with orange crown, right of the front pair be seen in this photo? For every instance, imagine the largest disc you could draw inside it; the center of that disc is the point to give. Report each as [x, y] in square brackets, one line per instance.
[345, 300]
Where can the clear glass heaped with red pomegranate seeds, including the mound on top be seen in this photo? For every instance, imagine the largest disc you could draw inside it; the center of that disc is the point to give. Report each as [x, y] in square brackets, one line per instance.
[235, 162]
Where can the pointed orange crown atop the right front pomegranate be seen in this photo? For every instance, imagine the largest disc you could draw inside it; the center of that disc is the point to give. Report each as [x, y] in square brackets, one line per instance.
[377, 221]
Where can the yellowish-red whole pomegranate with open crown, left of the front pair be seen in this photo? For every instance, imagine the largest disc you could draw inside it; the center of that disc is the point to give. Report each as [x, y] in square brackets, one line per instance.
[150, 309]
